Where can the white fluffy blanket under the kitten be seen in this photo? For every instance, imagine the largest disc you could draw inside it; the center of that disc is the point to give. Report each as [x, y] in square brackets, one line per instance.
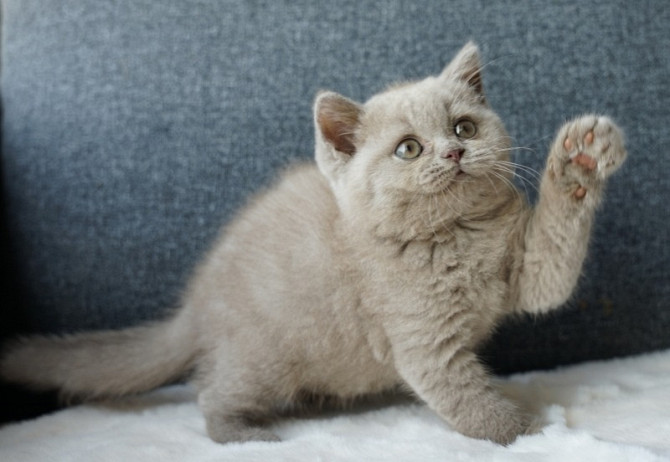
[616, 410]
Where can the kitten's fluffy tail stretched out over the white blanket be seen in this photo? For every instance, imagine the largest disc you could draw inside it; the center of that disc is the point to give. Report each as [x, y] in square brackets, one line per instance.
[105, 363]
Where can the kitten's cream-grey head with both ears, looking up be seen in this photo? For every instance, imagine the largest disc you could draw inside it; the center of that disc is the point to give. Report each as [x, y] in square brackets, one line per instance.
[417, 156]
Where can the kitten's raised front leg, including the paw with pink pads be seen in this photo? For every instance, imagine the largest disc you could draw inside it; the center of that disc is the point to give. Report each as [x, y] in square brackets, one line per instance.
[586, 151]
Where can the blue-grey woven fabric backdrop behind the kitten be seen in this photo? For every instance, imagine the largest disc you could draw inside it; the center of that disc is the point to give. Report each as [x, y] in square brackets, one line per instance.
[133, 129]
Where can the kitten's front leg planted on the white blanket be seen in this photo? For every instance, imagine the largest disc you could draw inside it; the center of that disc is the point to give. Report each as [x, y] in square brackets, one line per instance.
[449, 378]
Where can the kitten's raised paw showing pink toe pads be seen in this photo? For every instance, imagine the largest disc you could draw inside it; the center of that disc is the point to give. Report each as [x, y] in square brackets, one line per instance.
[587, 150]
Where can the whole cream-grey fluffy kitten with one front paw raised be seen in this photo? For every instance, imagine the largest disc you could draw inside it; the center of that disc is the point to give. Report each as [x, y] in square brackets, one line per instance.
[384, 264]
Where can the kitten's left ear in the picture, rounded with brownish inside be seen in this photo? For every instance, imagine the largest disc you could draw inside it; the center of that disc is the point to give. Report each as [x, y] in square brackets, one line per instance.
[336, 119]
